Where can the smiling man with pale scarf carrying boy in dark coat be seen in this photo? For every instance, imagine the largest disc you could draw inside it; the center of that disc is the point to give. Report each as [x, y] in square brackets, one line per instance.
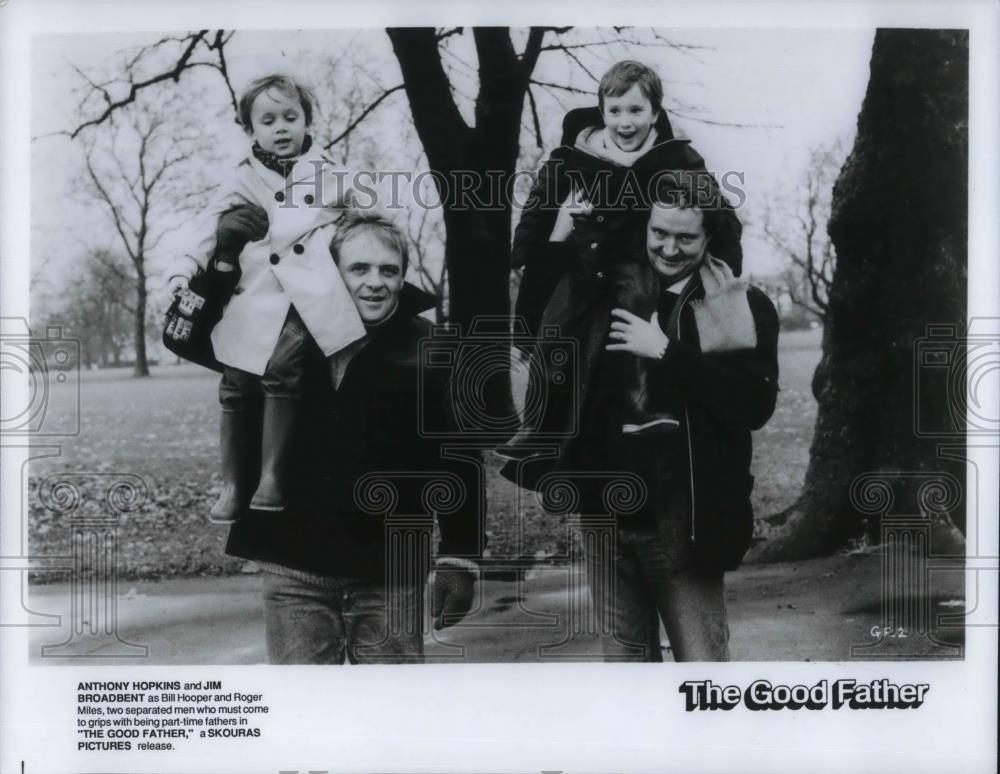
[710, 343]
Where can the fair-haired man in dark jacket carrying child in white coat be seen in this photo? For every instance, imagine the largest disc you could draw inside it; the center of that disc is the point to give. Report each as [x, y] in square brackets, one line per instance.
[346, 564]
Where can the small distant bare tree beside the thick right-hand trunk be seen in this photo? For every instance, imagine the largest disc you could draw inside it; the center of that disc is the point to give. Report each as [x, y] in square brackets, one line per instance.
[796, 224]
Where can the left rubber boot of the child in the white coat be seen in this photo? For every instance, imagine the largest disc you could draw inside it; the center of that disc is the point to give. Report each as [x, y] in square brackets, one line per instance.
[239, 435]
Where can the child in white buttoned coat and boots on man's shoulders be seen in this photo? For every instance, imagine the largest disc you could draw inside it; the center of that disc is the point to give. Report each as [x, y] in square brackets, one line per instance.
[274, 225]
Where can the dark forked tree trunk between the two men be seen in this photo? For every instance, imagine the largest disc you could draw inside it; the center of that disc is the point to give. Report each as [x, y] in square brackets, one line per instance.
[472, 166]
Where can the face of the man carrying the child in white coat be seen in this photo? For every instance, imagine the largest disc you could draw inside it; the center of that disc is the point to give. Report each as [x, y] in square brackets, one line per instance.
[373, 274]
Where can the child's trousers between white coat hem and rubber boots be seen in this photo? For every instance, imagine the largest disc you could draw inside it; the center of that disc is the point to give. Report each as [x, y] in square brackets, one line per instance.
[282, 377]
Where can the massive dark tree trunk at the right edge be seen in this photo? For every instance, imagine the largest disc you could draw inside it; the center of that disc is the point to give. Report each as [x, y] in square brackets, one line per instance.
[899, 225]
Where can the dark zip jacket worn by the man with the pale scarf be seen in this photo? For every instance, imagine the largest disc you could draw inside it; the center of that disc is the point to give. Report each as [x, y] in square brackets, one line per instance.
[720, 398]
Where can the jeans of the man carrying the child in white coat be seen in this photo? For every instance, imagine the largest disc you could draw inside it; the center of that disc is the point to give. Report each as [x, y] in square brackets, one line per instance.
[315, 620]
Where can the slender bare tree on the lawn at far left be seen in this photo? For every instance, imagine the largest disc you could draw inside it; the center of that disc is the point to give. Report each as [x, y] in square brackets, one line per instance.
[140, 172]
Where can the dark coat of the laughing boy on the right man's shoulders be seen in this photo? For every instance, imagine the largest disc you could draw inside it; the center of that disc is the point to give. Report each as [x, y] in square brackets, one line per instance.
[620, 197]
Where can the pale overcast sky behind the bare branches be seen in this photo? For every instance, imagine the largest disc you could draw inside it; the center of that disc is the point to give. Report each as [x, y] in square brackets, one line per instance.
[754, 102]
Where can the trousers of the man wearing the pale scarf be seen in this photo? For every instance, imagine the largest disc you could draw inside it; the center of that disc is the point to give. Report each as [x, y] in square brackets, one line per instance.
[636, 581]
